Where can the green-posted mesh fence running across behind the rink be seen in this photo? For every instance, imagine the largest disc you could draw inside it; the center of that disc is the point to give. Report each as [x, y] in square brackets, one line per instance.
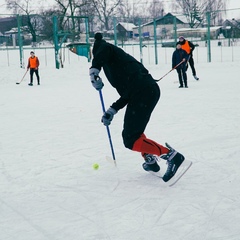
[149, 40]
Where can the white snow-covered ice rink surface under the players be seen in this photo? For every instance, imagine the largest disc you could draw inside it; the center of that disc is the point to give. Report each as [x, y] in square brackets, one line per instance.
[51, 135]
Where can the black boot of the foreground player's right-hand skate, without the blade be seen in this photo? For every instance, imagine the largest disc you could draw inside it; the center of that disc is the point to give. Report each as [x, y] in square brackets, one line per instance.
[174, 160]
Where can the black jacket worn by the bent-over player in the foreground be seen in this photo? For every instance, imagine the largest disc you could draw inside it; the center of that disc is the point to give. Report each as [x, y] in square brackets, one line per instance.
[122, 70]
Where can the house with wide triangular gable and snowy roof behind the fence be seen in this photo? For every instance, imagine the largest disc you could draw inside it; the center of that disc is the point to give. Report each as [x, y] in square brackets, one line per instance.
[164, 26]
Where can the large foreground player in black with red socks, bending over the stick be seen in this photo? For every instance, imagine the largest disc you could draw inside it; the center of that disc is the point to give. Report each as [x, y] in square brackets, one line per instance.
[140, 93]
